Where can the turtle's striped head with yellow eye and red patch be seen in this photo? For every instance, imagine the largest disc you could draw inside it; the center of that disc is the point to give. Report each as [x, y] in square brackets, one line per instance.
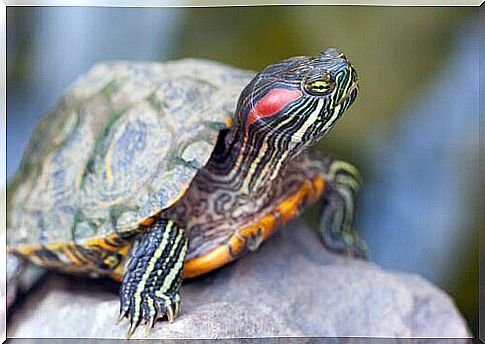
[298, 100]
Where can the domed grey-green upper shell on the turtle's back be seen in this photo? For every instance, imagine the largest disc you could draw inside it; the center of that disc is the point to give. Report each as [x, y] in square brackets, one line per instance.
[123, 144]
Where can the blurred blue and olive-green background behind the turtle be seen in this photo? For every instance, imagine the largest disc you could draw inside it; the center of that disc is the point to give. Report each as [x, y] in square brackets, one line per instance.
[413, 132]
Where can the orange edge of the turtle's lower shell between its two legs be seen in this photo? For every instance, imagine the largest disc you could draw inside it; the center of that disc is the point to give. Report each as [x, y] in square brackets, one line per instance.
[220, 255]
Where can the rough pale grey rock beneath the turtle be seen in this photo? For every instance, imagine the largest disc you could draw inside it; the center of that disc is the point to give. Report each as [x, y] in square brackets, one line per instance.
[291, 286]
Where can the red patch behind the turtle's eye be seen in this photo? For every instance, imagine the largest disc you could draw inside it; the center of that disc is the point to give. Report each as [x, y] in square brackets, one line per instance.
[273, 102]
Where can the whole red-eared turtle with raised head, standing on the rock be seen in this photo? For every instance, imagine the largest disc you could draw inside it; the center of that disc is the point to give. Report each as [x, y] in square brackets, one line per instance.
[150, 173]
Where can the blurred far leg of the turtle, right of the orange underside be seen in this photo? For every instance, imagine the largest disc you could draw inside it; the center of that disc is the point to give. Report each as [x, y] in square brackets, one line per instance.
[343, 181]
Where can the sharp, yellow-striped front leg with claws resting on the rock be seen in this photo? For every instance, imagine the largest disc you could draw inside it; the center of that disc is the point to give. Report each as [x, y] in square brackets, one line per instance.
[152, 279]
